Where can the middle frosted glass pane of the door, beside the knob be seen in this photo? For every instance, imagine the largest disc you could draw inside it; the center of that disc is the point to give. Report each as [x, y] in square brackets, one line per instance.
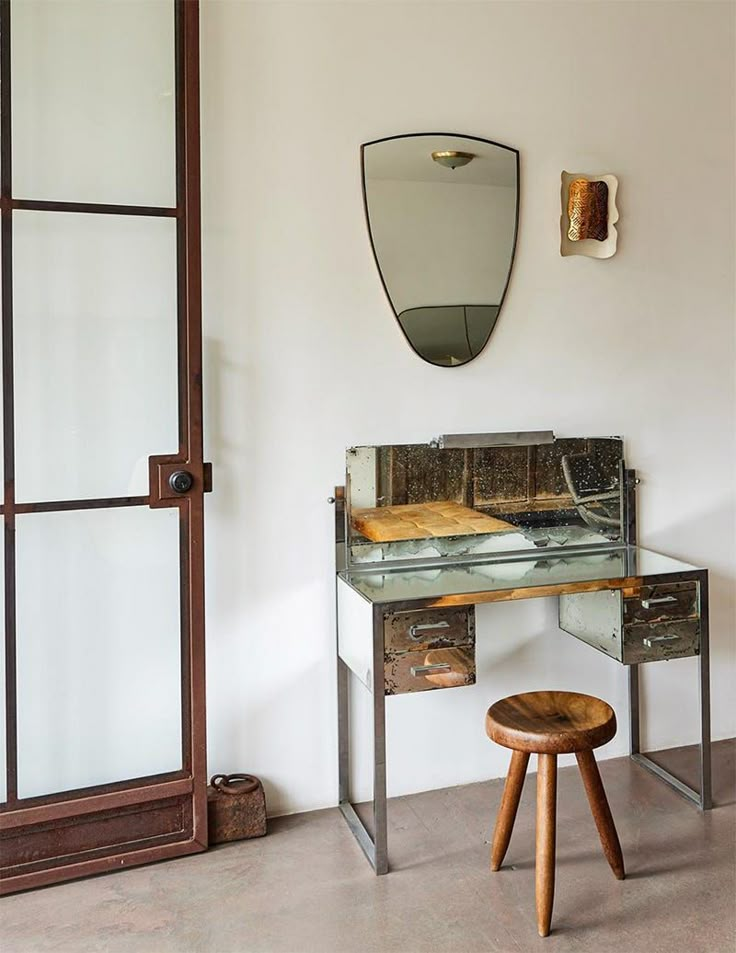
[95, 352]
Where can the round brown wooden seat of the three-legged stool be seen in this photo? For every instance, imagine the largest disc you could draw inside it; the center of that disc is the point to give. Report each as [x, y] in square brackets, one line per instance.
[551, 722]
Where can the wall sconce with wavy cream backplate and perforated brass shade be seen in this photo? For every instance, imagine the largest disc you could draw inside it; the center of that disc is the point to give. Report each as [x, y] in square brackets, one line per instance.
[589, 215]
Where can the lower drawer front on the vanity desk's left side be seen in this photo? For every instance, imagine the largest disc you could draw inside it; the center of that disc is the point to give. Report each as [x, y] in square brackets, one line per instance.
[437, 668]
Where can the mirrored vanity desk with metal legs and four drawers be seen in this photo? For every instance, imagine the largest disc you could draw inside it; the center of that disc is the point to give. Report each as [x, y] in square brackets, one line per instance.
[424, 533]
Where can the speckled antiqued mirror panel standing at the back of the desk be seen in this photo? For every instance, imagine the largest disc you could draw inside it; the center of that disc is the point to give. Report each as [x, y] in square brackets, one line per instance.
[418, 502]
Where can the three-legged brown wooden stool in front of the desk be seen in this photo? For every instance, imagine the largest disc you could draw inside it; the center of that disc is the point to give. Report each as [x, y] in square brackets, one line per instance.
[548, 724]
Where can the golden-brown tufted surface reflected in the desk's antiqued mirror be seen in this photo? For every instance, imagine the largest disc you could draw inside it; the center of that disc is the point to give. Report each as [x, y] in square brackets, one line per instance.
[425, 521]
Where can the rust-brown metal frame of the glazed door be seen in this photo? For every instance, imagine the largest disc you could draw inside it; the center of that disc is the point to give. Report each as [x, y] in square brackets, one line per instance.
[111, 826]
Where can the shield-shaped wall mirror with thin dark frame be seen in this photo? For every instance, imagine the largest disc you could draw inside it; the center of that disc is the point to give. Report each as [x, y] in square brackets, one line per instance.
[442, 215]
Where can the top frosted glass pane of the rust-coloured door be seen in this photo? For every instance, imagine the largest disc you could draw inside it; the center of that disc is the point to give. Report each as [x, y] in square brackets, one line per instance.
[93, 101]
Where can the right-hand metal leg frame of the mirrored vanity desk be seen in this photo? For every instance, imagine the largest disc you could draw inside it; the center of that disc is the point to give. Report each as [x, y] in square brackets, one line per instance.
[703, 798]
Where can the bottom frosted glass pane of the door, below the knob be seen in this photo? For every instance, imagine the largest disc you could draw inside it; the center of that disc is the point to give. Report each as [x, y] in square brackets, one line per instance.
[98, 647]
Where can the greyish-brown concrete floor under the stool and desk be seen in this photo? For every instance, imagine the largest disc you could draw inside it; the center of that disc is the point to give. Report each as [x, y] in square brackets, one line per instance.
[306, 888]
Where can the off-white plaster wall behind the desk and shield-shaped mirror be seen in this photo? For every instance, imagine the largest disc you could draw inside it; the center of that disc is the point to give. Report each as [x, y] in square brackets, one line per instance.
[304, 357]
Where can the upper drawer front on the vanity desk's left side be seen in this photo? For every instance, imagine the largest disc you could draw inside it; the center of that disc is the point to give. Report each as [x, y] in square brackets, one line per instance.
[428, 629]
